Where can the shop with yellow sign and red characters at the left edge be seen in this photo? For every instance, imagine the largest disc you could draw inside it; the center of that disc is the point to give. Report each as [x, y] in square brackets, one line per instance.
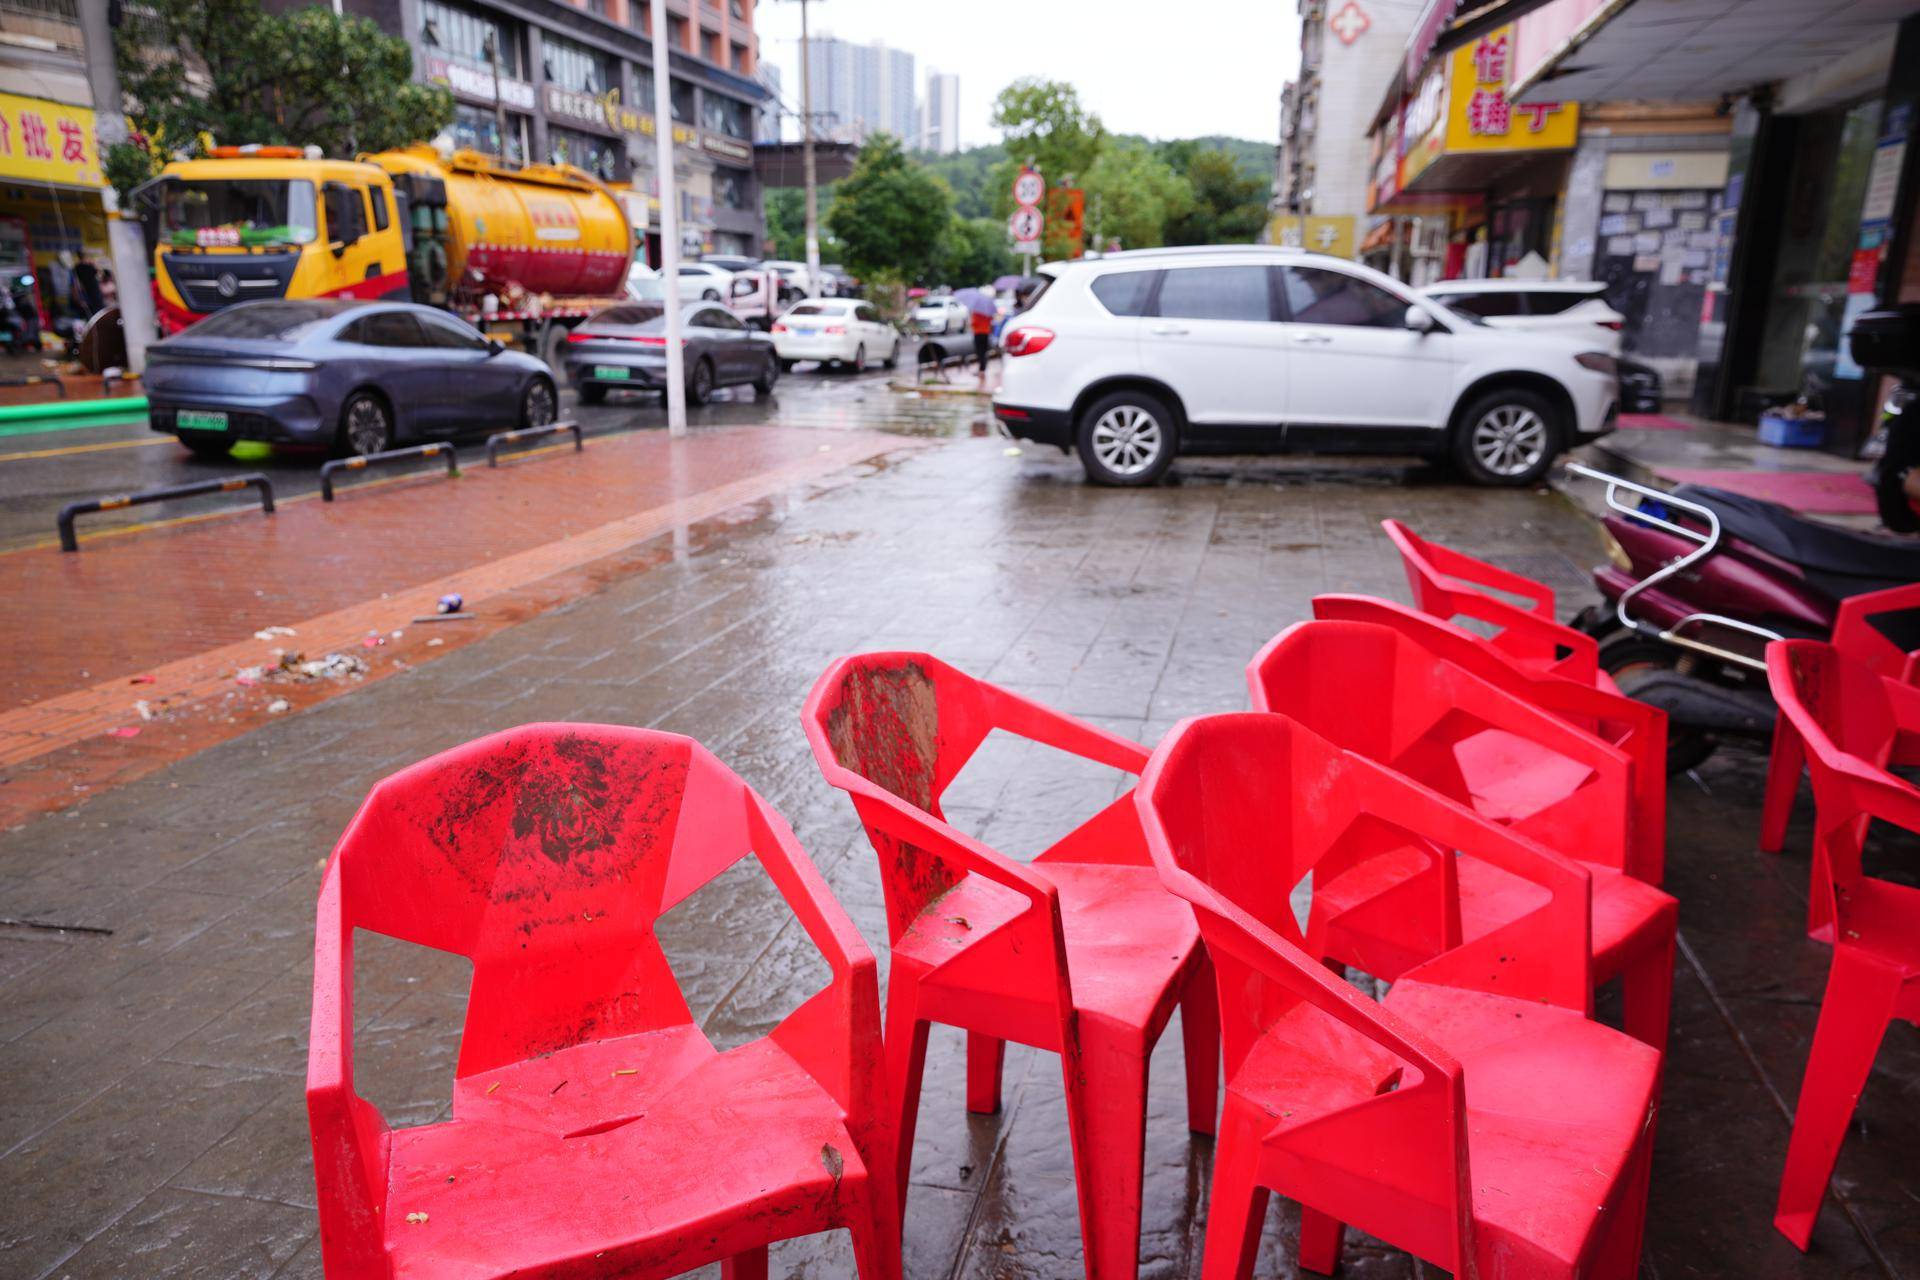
[55, 258]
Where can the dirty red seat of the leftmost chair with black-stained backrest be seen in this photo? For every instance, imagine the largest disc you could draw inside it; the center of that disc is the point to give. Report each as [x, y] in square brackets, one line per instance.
[550, 1164]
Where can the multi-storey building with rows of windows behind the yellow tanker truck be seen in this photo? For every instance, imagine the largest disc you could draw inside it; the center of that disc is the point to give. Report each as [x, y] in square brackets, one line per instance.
[560, 82]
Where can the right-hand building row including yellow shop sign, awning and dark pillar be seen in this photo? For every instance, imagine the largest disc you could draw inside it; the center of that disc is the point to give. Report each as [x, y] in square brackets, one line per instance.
[1744, 178]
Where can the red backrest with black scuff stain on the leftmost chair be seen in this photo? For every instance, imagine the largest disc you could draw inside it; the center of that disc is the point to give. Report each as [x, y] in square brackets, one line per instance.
[546, 855]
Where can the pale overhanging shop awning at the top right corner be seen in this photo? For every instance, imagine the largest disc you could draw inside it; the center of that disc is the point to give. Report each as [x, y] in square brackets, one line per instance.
[1696, 51]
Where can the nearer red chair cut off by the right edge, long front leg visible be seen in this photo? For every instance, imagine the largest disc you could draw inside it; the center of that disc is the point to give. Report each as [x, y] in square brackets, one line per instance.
[1850, 721]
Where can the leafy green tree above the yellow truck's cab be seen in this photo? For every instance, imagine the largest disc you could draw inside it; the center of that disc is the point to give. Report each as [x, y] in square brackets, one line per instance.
[237, 74]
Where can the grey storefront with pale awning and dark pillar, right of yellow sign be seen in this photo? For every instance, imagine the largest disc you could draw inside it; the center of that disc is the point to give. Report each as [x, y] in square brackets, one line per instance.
[1800, 224]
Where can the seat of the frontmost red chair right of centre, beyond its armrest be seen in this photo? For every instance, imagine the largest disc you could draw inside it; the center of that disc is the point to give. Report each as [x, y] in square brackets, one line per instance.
[1556, 1106]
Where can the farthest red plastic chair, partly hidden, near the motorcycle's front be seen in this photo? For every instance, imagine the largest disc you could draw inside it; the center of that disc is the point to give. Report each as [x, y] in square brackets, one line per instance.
[1451, 584]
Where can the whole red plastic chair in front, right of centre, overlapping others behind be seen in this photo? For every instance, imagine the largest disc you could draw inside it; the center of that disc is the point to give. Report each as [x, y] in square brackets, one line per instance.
[1476, 1118]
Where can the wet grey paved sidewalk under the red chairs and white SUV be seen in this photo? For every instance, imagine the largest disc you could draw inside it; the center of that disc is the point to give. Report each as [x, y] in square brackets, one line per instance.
[153, 1116]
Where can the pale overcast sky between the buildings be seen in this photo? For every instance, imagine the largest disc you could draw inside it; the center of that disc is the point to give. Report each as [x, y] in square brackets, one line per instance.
[1151, 68]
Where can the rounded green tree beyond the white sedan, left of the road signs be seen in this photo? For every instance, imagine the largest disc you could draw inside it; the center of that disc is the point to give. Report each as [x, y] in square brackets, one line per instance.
[890, 214]
